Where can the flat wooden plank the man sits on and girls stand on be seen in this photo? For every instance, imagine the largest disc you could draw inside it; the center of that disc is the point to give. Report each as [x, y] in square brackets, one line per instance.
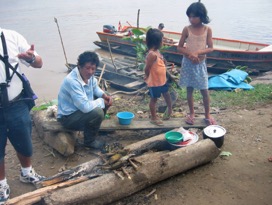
[113, 124]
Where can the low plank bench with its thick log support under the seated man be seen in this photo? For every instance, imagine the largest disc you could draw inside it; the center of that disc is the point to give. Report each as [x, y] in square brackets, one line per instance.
[63, 140]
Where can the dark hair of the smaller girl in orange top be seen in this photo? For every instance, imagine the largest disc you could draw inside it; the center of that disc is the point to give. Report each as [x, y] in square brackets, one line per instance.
[154, 38]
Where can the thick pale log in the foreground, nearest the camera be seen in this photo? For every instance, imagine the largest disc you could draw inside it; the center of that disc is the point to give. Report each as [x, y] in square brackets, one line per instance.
[109, 188]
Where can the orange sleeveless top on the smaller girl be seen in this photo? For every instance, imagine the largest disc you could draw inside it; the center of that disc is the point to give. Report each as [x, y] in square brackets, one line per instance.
[157, 75]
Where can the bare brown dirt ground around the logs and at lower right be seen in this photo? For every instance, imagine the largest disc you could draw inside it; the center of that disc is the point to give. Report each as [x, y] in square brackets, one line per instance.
[243, 178]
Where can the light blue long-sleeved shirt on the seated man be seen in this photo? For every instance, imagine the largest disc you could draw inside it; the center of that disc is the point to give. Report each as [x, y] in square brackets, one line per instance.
[76, 95]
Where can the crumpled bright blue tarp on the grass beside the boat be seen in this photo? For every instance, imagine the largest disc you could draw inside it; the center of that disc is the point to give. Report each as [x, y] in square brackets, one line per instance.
[229, 81]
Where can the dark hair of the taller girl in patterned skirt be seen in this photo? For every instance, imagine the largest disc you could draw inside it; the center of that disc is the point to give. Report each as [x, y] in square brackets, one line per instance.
[199, 10]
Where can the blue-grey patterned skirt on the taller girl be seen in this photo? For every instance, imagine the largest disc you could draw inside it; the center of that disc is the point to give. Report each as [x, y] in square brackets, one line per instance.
[193, 75]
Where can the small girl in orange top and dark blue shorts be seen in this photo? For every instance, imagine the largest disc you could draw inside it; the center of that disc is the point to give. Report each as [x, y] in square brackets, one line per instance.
[155, 75]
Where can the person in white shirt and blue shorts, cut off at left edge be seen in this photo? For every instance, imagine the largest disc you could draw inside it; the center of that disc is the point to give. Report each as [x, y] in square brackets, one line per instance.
[15, 120]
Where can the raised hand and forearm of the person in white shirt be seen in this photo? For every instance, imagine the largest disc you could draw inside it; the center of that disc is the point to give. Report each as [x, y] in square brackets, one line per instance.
[29, 56]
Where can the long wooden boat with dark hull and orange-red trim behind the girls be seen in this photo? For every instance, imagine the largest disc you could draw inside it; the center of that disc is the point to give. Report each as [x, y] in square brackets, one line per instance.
[227, 53]
